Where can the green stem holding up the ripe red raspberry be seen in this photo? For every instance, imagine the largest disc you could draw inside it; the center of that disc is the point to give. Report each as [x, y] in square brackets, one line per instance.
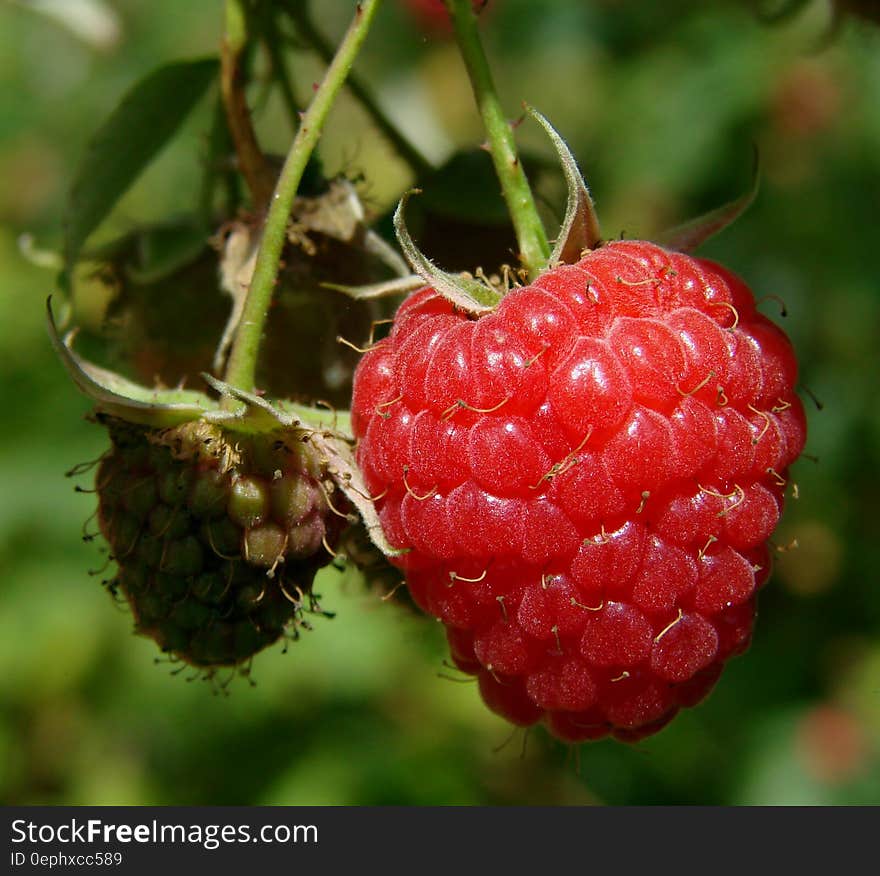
[530, 234]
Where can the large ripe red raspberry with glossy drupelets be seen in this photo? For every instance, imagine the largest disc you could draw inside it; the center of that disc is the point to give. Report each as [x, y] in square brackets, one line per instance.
[583, 481]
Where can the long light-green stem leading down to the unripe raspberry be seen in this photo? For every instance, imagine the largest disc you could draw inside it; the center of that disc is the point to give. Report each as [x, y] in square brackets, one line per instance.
[242, 365]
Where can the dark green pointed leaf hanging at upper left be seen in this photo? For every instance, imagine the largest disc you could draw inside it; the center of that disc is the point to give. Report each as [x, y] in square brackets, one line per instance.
[129, 139]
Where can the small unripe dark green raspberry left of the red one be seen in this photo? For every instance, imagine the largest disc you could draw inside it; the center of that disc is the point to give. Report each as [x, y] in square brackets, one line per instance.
[217, 536]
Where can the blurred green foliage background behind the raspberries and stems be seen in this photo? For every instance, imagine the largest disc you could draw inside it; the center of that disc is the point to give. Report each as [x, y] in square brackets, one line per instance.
[662, 103]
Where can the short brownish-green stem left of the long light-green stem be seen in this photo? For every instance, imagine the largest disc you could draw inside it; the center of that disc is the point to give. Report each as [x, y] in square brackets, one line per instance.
[252, 162]
